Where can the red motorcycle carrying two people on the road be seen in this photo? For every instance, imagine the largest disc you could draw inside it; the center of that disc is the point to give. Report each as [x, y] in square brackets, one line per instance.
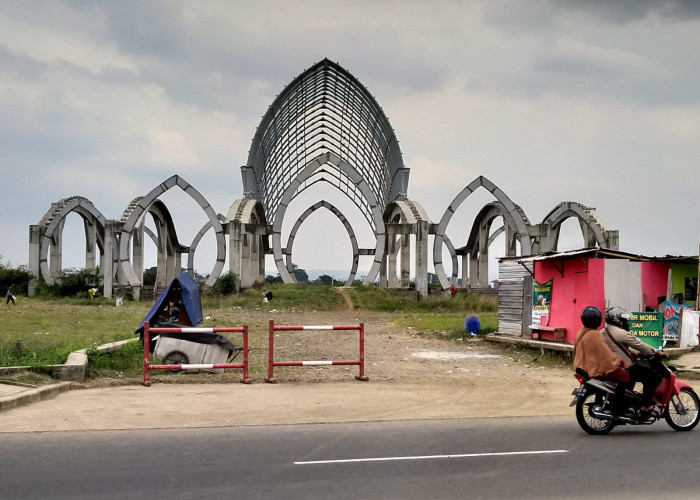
[674, 400]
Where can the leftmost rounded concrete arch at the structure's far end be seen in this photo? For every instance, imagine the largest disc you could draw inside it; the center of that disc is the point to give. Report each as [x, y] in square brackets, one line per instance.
[51, 227]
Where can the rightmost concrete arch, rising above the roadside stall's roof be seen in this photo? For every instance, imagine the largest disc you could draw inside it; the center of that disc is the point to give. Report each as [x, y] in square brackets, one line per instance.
[592, 229]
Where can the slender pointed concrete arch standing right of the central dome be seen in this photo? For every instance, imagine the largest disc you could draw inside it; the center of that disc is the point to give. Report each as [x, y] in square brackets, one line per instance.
[513, 217]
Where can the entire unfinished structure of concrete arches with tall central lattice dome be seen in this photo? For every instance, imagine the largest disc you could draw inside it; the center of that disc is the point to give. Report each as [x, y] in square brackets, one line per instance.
[324, 127]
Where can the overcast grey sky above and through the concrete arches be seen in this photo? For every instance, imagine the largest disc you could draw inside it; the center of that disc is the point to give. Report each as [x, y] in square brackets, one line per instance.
[596, 102]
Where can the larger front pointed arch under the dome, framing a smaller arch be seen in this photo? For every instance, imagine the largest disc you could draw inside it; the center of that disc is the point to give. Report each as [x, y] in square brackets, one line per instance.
[291, 192]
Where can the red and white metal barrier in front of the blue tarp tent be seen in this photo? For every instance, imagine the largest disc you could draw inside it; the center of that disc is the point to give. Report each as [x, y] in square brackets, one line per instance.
[147, 367]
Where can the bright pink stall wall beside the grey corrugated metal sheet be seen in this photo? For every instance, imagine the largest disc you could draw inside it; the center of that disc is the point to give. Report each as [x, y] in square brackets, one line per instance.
[581, 285]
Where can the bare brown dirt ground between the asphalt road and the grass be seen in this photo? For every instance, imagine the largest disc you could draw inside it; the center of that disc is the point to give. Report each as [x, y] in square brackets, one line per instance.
[412, 375]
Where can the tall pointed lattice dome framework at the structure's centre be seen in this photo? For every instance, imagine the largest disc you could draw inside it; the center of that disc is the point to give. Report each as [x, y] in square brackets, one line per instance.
[325, 127]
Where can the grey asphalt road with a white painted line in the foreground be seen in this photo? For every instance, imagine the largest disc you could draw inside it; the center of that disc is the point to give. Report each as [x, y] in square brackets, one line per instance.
[523, 458]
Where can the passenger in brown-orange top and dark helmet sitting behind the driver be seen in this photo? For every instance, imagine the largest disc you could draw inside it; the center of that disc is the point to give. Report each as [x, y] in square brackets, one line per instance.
[593, 356]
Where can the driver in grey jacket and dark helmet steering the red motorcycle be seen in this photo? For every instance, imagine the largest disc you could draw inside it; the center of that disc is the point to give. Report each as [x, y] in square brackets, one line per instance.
[616, 334]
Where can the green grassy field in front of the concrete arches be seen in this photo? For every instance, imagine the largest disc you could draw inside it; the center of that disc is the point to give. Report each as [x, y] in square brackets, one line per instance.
[40, 332]
